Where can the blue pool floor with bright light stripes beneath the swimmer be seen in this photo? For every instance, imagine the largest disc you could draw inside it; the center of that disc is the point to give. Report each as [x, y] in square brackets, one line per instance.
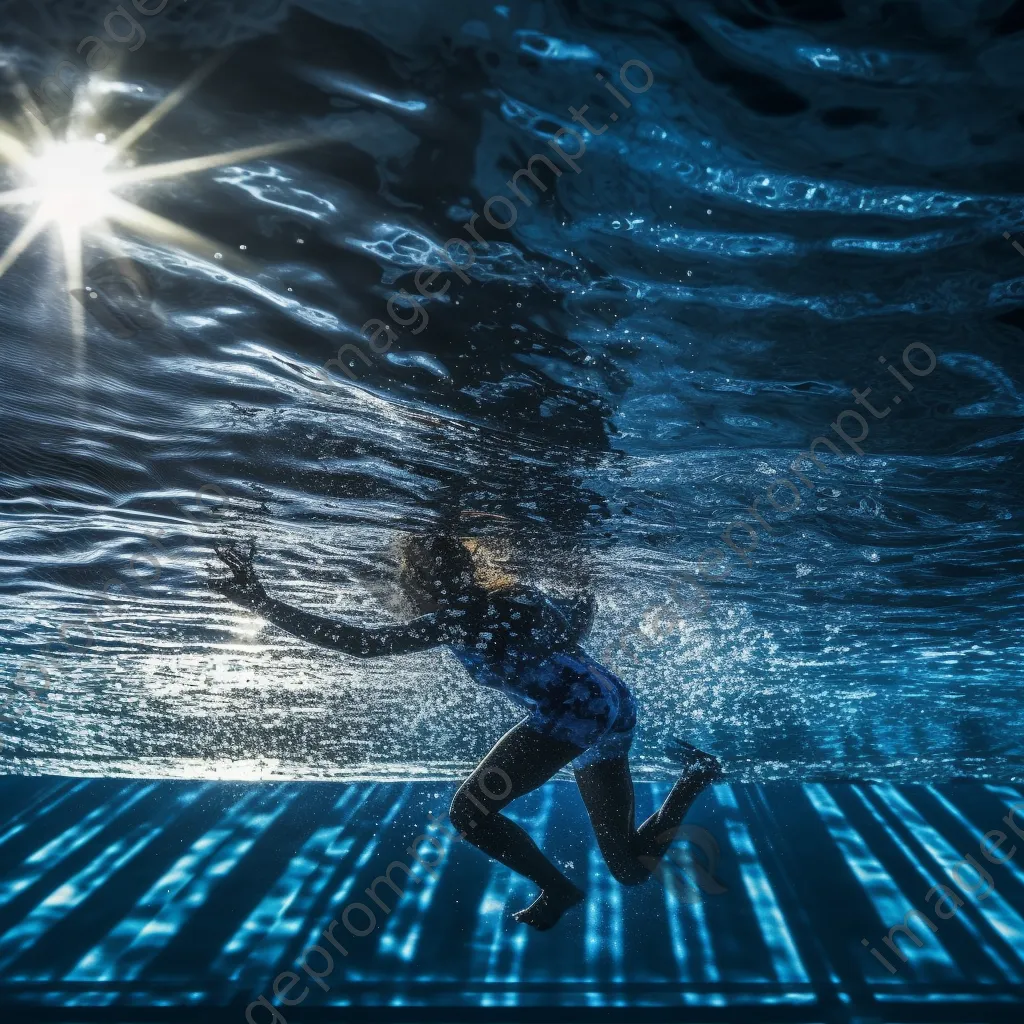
[144, 901]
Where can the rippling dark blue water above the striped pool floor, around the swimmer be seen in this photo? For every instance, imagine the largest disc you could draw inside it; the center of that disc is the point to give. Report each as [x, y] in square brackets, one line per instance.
[626, 372]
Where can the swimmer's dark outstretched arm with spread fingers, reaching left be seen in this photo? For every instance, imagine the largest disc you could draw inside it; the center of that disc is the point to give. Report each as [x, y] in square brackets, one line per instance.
[244, 588]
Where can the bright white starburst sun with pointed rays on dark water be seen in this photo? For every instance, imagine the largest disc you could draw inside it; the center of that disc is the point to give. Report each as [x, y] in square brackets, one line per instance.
[71, 186]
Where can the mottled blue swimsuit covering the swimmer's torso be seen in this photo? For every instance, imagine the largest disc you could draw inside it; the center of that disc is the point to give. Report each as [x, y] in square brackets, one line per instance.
[525, 650]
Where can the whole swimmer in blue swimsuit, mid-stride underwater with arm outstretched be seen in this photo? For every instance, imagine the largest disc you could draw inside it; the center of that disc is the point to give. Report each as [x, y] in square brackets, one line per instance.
[517, 641]
